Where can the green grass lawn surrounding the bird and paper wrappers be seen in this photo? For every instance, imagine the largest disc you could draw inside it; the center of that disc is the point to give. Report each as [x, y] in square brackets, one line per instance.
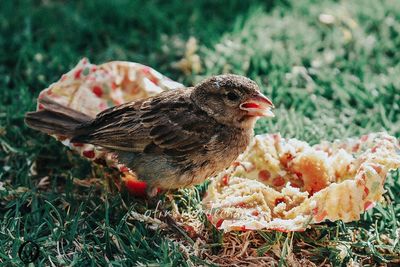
[328, 78]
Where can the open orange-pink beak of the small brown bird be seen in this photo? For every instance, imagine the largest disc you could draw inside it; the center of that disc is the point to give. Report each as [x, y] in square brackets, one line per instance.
[259, 106]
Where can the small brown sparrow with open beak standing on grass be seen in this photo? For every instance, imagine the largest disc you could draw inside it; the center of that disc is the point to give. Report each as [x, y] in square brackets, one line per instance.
[172, 140]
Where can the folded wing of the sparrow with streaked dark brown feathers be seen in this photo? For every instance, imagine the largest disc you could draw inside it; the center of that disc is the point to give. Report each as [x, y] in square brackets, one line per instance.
[168, 123]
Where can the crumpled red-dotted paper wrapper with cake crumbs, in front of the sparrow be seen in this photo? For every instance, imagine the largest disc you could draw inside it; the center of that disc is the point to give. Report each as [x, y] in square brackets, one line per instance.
[286, 184]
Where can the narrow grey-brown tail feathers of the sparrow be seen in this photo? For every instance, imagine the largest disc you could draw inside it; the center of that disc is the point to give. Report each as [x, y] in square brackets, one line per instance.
[55, 118]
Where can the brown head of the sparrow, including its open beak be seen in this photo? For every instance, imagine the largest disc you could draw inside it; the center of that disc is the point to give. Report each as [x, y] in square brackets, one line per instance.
[232, 100]
